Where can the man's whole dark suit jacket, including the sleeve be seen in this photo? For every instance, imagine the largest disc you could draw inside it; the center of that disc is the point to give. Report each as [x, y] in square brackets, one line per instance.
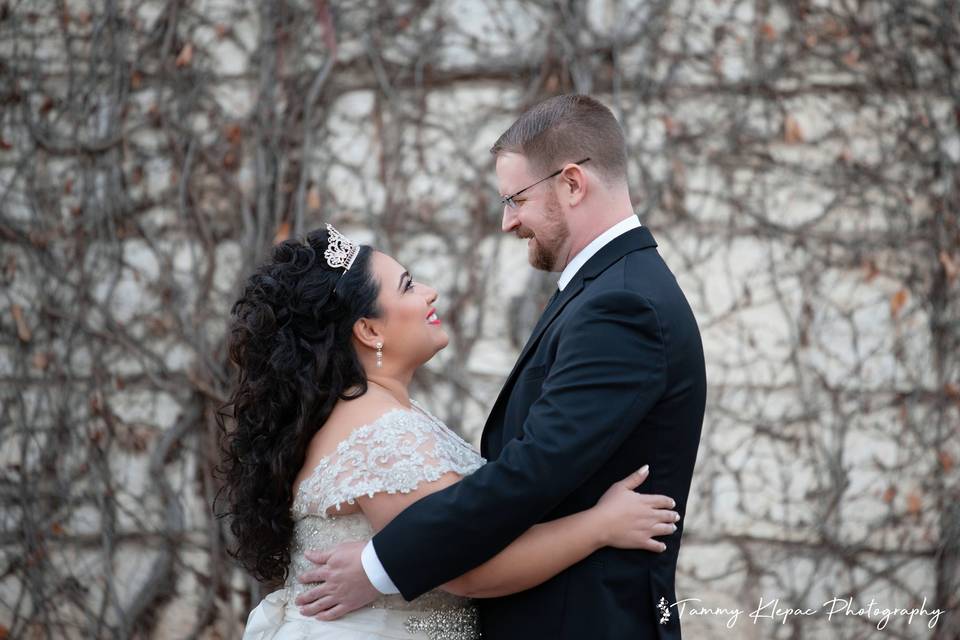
[612, 378]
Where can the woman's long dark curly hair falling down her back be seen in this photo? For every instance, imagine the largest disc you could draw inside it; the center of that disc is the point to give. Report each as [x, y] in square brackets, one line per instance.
[290, 338]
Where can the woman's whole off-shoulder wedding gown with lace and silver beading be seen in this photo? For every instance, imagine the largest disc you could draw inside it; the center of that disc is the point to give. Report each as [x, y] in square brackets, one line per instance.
[395, 453]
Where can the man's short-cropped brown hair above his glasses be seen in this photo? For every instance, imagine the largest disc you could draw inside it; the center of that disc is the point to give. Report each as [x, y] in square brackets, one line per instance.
[564, 129]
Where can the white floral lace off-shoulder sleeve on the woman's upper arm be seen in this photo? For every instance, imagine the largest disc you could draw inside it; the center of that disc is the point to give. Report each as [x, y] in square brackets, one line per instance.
[394, 454]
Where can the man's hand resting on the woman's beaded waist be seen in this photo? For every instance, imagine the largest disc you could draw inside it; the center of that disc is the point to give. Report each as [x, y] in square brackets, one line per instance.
[343, 587]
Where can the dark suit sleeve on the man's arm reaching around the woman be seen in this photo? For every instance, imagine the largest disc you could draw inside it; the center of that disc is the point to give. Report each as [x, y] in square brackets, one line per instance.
[609, 371]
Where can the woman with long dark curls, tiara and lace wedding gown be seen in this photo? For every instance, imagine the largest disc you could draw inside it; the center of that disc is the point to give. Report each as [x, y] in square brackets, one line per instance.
[328, 446]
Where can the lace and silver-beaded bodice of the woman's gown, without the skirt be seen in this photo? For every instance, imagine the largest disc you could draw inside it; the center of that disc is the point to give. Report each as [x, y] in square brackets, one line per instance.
[394, 454]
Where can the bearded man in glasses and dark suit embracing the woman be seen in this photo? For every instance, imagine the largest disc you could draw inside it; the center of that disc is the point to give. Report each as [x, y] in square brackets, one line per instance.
[612, 378]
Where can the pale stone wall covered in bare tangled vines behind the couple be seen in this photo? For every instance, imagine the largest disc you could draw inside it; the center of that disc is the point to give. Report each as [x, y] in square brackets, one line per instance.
[796, 161]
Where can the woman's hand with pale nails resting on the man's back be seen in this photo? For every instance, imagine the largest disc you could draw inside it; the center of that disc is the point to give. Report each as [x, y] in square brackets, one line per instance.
[631, 520]
